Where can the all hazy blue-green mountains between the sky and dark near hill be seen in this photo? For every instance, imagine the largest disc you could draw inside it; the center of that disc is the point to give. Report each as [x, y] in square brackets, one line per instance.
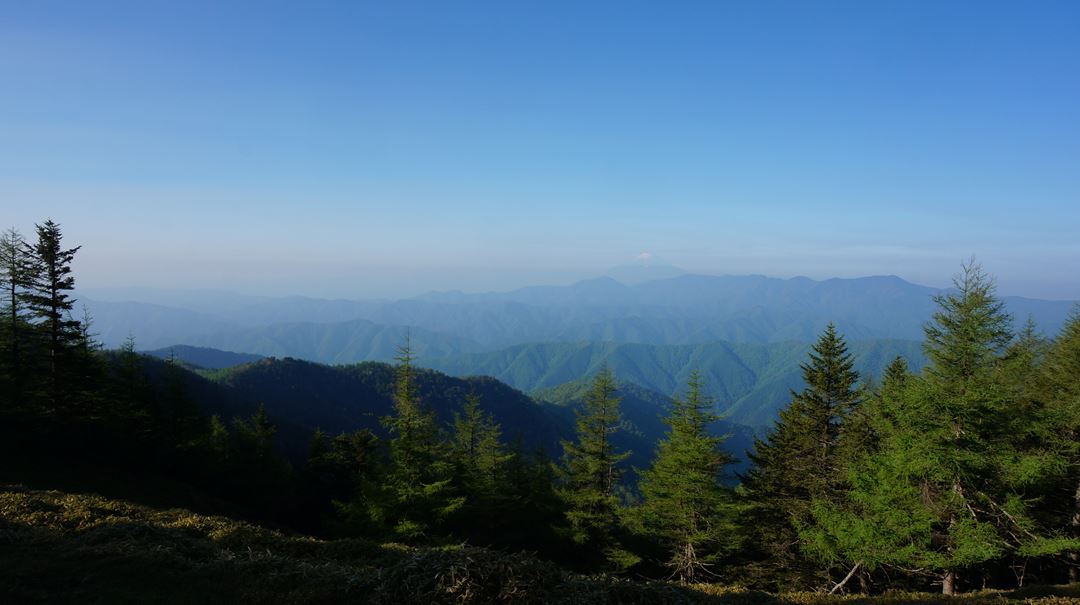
[748, 334]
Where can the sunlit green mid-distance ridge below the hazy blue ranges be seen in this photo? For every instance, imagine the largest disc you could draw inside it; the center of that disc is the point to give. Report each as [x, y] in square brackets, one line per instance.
[750, 382]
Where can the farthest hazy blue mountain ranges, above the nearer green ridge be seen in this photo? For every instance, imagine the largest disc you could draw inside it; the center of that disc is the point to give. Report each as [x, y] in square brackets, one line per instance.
[678, 311]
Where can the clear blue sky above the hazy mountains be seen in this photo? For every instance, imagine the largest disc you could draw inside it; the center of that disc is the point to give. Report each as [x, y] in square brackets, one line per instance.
[386, 149]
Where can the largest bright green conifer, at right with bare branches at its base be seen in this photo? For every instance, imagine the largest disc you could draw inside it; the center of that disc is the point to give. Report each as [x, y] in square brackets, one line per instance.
[951, 485]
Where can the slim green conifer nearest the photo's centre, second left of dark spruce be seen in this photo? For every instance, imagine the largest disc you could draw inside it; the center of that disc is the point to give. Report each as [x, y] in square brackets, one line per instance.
[591, 473]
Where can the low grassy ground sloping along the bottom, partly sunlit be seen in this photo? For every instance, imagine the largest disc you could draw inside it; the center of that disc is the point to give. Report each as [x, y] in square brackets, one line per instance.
[65, 548]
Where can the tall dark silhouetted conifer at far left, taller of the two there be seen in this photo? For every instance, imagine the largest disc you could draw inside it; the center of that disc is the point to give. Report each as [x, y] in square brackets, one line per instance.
[49, 303]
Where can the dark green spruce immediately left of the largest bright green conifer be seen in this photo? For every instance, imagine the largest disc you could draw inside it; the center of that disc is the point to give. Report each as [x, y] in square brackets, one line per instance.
[801, 461]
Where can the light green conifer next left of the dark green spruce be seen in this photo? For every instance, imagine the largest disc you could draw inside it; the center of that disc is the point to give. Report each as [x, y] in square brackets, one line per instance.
[684, 505]
